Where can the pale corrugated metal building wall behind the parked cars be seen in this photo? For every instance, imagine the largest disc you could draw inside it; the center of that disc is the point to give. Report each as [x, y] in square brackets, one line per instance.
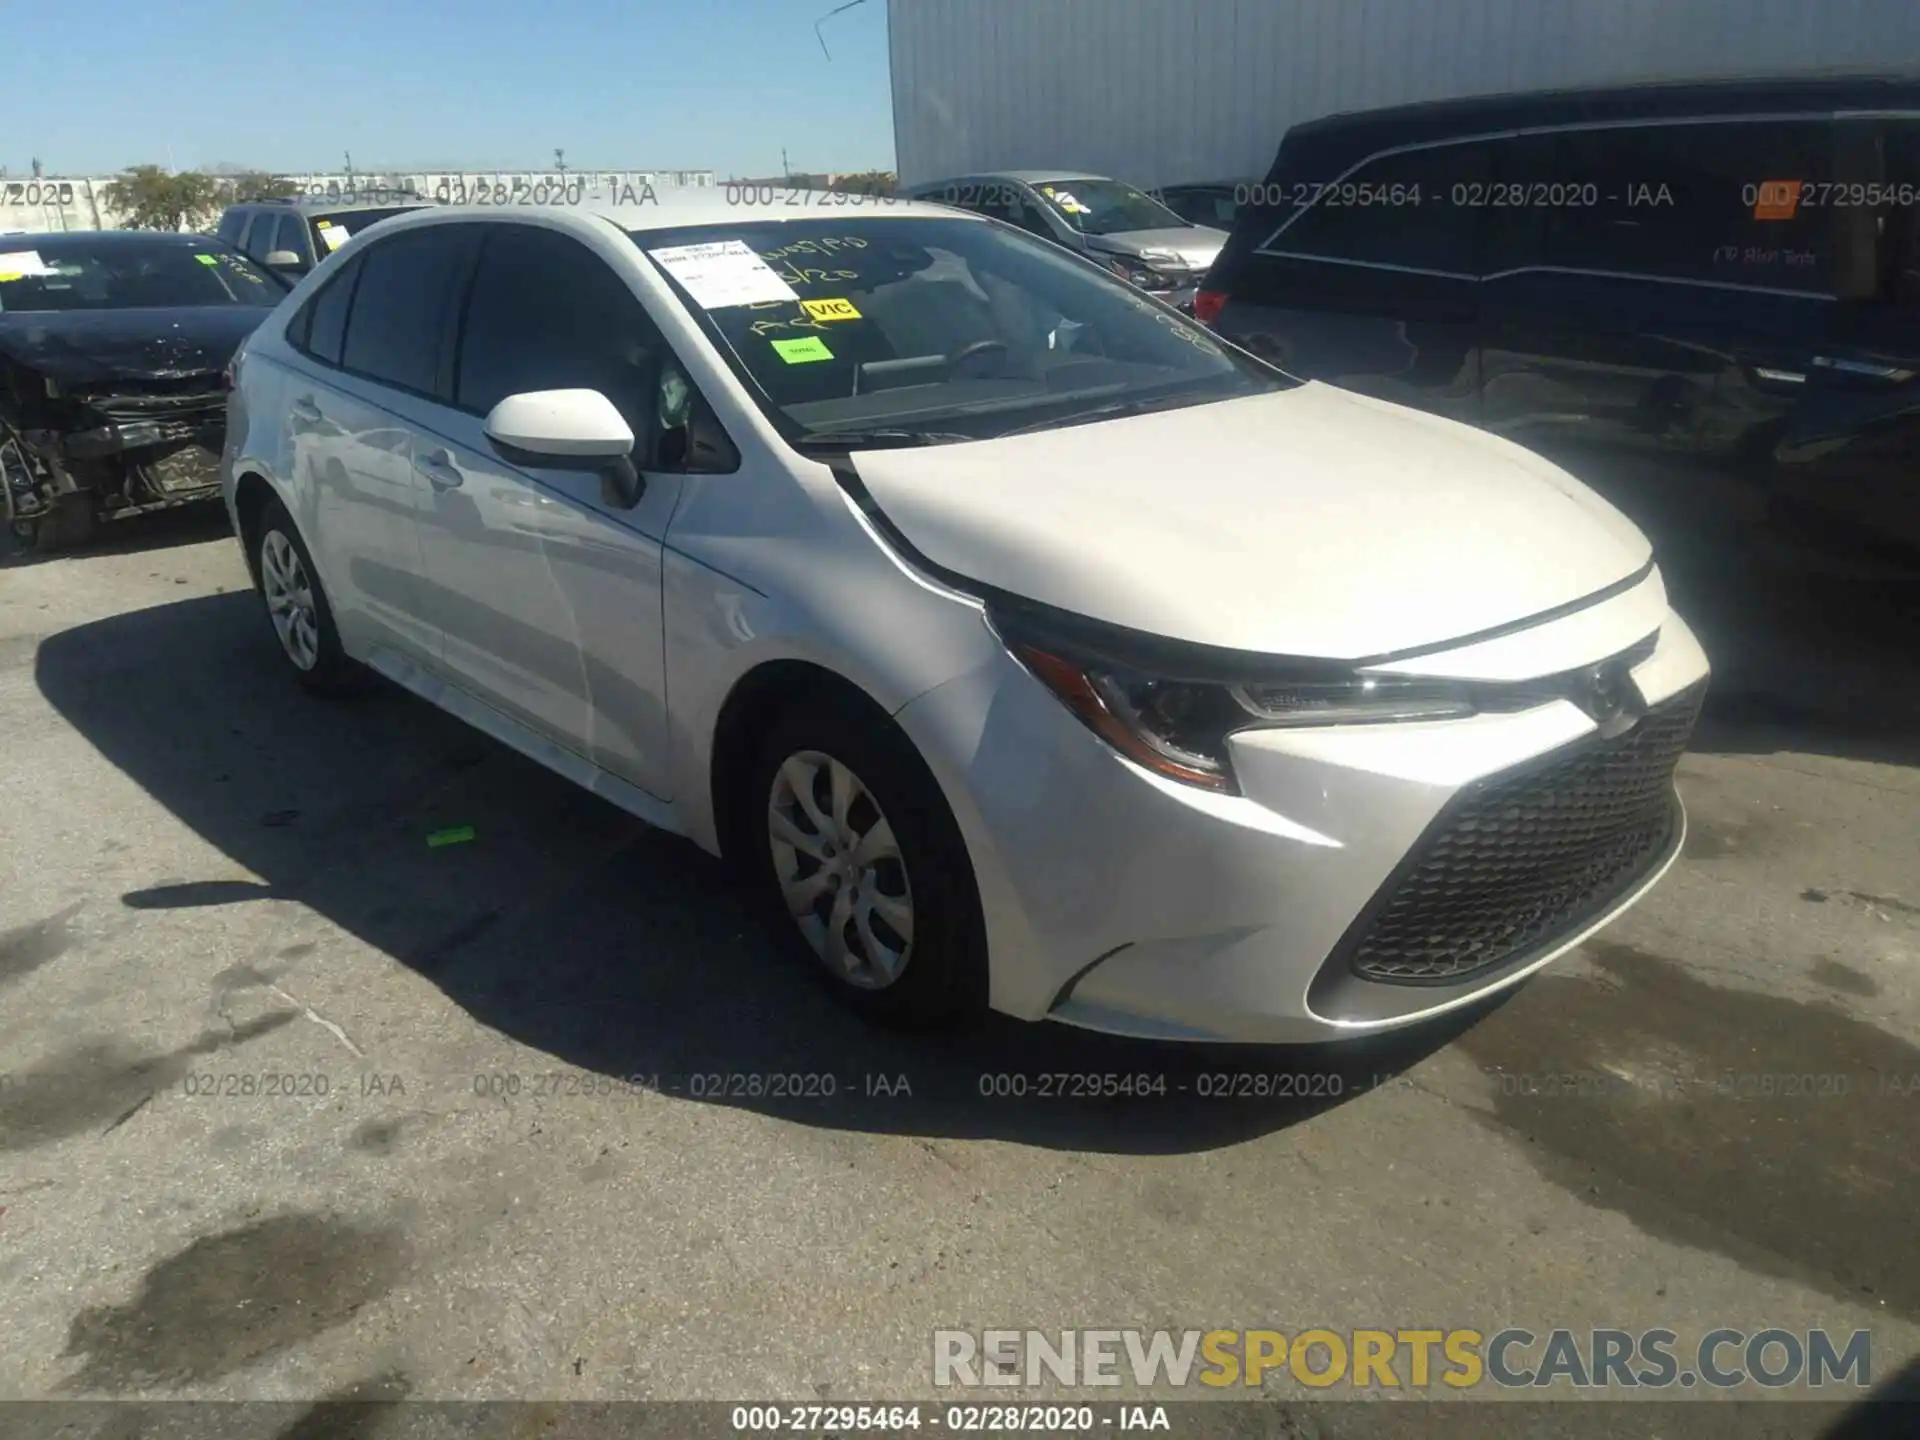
[1163, 91]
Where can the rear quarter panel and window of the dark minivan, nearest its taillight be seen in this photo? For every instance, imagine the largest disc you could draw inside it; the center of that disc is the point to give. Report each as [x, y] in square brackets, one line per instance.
[1368, 277]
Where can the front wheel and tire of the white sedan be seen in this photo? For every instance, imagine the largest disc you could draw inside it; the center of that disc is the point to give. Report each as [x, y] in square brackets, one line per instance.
[942, 972]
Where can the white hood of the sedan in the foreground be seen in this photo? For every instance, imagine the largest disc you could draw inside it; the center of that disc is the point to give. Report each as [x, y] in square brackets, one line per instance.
[1308, 523]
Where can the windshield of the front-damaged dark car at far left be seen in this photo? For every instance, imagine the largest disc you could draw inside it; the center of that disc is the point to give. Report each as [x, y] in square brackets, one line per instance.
[164, 274]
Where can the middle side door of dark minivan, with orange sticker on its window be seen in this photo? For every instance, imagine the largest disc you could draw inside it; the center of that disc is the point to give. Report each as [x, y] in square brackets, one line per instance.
[1646, 295]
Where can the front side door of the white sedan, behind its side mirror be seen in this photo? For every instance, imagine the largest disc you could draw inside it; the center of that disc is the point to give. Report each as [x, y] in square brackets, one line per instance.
[544, 588]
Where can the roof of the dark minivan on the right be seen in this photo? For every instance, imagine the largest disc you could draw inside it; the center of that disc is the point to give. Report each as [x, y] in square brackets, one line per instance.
[1366, 132]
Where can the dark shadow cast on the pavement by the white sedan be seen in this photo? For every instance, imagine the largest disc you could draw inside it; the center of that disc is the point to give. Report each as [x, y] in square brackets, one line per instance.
[587, 936]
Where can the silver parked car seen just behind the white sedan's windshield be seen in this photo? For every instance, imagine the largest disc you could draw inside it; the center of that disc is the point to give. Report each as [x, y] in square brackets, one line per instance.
[1126, 229]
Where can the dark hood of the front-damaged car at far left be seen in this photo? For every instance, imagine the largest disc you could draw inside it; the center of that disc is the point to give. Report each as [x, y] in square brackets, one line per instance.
[128, 345]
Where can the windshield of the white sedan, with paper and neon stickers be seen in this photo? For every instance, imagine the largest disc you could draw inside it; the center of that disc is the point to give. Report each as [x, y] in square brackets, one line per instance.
[934, 329]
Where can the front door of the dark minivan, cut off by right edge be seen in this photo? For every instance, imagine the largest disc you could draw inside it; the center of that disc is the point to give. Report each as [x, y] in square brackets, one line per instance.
[1854, 452]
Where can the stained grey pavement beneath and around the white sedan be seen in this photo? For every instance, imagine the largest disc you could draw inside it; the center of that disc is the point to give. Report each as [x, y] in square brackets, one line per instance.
[295, 1105]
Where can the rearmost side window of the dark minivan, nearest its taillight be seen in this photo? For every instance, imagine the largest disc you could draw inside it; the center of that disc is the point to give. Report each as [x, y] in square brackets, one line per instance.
[1408, 210]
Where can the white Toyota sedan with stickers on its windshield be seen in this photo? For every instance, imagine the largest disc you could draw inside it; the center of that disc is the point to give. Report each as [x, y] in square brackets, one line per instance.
[1020, 640]
